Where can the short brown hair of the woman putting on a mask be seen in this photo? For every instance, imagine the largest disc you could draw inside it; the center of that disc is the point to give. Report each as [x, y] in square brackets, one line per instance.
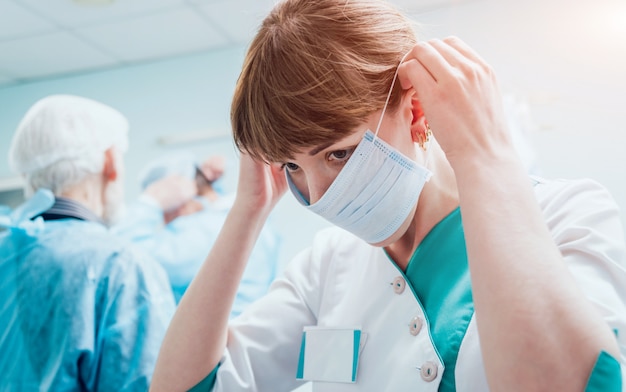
[316, 70]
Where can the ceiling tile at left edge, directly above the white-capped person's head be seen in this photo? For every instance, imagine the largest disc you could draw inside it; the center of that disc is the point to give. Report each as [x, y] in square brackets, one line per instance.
[48, 55]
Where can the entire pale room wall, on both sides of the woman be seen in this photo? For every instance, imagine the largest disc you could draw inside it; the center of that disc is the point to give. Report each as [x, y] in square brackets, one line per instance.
[568, 59]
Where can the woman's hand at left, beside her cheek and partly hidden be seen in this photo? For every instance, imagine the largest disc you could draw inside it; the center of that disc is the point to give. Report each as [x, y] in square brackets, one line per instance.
[260, 185]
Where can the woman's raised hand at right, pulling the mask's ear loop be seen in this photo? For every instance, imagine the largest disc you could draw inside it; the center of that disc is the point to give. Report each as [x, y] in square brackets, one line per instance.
[460, 97]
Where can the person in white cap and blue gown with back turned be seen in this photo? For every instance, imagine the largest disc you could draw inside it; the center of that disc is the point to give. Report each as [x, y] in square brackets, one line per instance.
[80, 309]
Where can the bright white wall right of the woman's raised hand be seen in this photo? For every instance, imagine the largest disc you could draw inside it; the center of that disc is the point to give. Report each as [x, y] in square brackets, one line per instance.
[568, 60]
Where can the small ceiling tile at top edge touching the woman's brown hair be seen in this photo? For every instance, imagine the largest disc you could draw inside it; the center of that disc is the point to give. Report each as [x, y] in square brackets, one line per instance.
[237, 18]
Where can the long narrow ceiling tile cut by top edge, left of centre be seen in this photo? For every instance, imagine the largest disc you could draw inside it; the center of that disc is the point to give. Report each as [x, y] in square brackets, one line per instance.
[71, 13]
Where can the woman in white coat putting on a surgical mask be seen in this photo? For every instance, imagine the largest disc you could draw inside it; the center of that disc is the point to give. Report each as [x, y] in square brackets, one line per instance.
[449, 269]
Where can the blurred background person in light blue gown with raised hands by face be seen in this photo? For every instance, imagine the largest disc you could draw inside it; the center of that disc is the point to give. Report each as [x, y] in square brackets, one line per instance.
[178, 217]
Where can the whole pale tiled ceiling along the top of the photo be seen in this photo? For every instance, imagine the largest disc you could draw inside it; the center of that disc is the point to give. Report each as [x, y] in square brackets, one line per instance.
[47, 38]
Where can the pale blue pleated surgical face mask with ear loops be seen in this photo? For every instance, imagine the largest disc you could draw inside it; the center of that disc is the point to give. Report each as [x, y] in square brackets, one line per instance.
[375, 191]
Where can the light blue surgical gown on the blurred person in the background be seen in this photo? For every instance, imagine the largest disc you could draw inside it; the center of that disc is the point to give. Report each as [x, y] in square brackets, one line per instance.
[182, 246]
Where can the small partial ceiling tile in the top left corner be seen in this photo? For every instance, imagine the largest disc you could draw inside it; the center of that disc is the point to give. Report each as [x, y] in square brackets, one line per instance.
[15, 21]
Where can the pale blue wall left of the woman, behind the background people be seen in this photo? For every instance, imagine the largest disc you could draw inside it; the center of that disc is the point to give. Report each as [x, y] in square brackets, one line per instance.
[176, 96]
